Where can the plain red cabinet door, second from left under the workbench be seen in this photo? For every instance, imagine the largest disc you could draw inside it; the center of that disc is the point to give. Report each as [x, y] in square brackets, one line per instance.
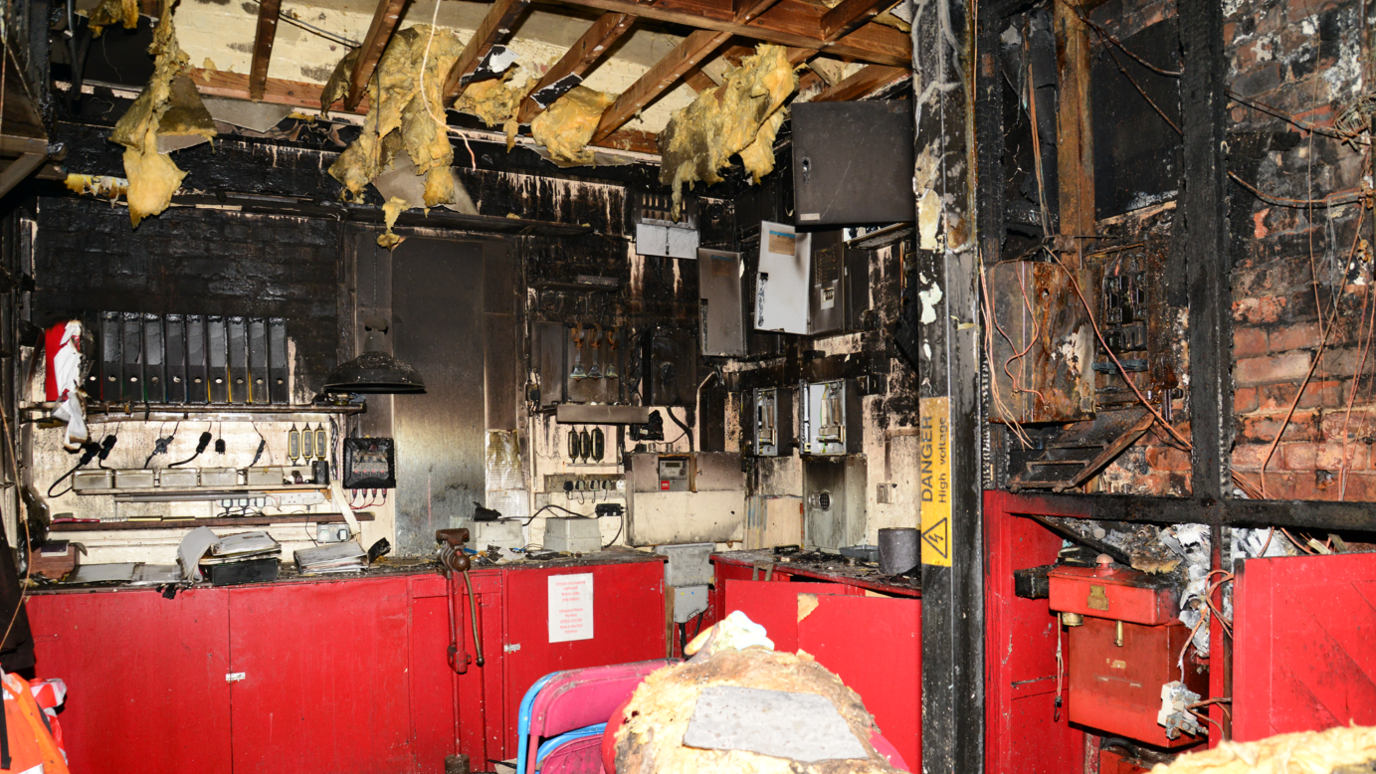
[325, 678]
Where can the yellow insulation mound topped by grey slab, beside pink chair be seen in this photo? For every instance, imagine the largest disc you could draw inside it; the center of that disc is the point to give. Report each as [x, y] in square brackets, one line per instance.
[650, 742]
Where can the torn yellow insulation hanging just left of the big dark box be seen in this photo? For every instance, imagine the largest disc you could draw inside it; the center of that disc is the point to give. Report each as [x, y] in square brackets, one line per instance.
[727, 121]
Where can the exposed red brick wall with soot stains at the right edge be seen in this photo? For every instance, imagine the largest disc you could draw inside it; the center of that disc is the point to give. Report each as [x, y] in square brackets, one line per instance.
[1291, 265]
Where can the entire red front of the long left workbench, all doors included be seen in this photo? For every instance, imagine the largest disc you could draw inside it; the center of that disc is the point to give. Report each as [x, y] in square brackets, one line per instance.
[330, 673]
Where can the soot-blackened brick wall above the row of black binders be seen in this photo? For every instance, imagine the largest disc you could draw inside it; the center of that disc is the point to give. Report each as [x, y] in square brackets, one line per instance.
[87, 258]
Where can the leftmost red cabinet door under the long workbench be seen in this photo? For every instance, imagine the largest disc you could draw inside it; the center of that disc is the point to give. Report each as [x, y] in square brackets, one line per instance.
[147, 678]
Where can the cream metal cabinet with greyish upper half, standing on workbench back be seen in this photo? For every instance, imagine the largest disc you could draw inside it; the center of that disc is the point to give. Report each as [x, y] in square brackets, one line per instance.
[661, 510]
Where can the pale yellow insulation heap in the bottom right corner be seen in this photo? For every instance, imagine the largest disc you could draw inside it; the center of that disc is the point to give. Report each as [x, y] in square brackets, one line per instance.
[1307, 753]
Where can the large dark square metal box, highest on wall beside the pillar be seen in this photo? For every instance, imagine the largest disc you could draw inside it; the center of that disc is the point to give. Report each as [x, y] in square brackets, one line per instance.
[866, 180]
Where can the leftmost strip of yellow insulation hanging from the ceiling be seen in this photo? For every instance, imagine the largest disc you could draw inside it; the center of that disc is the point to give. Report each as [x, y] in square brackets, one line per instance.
[153, 177]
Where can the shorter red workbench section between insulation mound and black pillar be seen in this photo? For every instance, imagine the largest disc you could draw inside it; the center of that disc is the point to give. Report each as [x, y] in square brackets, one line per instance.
[857, 622]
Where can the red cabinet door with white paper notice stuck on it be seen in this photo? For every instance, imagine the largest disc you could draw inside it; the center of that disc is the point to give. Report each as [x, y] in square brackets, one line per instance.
[628, 626]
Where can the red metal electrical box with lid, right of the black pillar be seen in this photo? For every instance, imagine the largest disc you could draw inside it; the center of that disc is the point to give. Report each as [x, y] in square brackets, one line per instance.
[1125, 647]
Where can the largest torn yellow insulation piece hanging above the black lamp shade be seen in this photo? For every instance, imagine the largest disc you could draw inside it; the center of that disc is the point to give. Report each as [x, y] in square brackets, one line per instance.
[401, 116]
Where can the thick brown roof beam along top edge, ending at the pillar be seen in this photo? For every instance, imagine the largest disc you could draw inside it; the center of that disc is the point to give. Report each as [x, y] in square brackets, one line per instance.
[789, 23]
